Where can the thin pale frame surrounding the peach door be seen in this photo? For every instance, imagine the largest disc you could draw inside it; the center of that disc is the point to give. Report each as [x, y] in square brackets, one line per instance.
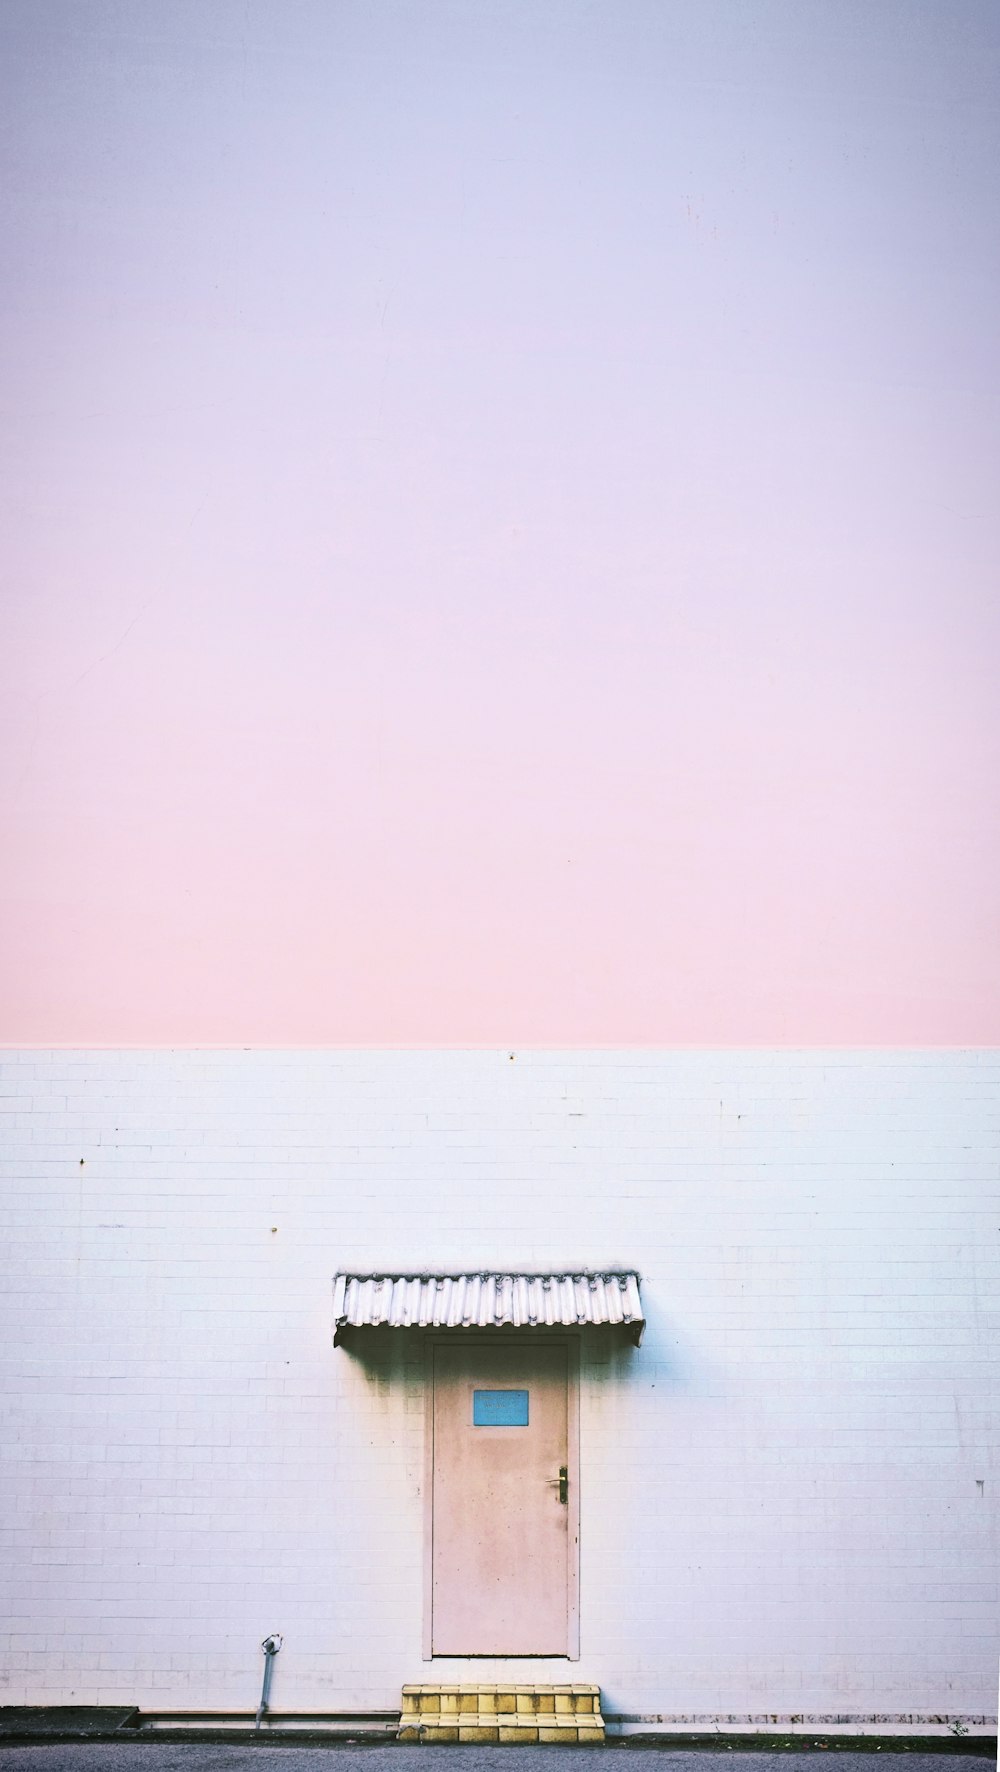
[515, 1341]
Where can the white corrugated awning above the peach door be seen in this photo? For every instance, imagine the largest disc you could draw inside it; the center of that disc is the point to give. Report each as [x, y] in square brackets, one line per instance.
[488, 1302]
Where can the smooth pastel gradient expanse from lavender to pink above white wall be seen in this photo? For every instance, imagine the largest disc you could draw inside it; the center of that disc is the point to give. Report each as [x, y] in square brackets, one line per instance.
[501, 522]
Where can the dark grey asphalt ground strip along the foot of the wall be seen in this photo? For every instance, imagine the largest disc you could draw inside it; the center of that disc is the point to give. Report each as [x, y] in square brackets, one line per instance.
[246, 1757]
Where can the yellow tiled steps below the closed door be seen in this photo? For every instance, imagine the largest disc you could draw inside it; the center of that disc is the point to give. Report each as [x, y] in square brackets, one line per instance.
[508, 1714]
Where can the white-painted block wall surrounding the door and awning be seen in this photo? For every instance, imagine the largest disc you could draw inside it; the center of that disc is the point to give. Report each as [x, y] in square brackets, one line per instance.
[788, 1493]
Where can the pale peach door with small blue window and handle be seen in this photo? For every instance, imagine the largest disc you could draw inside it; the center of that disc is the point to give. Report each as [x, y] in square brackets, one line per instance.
[503, 1521]
